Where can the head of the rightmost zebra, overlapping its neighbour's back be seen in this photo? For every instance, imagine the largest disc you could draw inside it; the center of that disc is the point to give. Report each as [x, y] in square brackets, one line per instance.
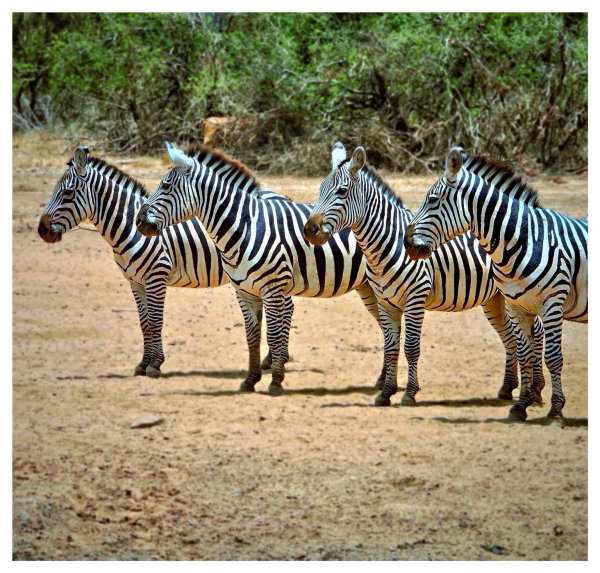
[441, 216]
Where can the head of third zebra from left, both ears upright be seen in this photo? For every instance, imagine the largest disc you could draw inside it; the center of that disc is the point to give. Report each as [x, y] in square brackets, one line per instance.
[340, 199]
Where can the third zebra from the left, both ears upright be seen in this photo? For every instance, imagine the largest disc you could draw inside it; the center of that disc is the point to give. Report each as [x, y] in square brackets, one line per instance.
[457, 278]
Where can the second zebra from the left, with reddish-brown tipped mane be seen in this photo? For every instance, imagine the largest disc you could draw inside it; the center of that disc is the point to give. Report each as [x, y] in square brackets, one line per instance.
[264, 253]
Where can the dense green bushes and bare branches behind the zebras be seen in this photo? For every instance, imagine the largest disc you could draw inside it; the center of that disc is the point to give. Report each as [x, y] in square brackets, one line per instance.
[405, 86]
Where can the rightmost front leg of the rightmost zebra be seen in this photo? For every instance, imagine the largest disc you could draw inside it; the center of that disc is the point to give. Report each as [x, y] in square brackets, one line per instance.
[553, 319]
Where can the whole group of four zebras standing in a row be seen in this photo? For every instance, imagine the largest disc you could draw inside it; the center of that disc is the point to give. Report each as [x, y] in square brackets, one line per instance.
[480, 238]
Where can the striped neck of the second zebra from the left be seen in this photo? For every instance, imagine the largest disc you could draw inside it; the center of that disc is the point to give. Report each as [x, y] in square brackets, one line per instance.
[228, 213]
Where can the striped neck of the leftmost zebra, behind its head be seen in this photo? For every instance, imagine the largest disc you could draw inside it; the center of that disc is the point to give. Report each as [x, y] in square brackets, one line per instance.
[114, 212]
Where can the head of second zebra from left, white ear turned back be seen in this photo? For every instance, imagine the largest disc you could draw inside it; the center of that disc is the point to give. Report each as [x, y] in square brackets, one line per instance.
[173, 200]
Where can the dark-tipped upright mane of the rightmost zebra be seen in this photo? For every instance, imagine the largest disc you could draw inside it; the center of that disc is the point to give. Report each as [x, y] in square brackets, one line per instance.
[488, 168]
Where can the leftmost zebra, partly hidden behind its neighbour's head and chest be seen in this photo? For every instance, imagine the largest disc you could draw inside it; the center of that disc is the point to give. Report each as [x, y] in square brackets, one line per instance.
[184, 256]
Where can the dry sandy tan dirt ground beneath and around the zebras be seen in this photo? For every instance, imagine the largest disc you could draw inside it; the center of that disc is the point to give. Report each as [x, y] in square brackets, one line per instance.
[317, 474]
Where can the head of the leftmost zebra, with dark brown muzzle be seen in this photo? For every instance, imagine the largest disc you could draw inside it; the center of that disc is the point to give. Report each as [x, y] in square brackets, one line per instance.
[70, 203]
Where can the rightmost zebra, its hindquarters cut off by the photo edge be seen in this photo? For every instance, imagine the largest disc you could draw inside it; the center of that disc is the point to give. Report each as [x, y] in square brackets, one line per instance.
[539, 256]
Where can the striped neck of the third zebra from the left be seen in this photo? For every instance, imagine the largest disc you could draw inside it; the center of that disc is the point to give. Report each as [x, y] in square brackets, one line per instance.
[380, 230]
